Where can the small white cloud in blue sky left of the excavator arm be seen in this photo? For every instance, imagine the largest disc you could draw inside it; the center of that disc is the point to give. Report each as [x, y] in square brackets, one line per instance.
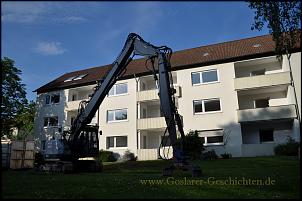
[49, 48]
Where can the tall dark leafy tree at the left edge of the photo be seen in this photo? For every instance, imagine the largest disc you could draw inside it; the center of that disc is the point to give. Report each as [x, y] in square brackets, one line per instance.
[13, 95]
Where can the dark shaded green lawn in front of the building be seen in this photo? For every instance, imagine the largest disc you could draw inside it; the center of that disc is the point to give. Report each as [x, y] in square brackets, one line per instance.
[124, 180]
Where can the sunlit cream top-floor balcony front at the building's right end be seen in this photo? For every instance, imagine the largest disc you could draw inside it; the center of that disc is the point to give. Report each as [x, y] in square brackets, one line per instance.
[245, 83]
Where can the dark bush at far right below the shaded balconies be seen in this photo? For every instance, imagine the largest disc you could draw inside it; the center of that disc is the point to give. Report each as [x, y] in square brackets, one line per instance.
[290, 148]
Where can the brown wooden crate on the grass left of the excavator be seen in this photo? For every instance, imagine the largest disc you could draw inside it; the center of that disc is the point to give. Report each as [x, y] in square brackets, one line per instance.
[22, 154]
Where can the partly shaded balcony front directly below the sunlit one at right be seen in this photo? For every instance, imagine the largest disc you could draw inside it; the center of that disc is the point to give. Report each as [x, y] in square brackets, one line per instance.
[268, 113]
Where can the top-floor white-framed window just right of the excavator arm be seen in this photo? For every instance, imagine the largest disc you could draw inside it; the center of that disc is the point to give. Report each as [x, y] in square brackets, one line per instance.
[204, 77]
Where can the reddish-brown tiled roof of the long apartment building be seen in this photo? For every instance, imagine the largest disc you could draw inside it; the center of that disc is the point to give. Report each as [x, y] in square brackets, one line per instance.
[217, 53]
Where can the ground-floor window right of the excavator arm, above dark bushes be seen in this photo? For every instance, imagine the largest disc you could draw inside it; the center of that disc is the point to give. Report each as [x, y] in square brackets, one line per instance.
[212, 137]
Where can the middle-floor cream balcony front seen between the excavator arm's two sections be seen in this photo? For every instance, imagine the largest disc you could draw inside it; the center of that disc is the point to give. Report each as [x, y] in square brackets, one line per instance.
[151, 123]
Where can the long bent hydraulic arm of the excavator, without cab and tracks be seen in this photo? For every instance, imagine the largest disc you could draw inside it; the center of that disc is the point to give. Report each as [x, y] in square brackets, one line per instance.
[135, 45]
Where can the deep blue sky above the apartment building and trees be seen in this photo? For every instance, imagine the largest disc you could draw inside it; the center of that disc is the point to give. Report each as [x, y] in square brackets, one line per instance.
[48, 39]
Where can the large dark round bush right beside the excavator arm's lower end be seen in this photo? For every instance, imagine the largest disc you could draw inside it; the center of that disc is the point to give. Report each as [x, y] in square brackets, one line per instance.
[193, 145]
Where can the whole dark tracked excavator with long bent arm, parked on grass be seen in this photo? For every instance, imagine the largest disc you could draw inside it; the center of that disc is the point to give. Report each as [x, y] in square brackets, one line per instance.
[81, 141]
